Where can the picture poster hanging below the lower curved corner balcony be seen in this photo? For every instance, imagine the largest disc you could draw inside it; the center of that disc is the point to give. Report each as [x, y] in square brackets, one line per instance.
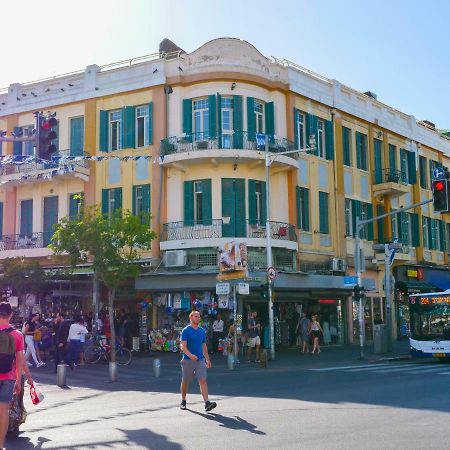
[233, 260]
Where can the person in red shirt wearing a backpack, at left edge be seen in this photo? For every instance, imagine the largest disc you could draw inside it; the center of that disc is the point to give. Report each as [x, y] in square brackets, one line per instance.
[12, 362]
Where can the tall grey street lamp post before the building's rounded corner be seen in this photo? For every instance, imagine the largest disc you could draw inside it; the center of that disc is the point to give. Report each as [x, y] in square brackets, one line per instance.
[268, 162]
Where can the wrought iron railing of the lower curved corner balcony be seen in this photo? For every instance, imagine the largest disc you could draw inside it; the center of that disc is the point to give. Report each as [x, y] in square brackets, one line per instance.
[218, 228]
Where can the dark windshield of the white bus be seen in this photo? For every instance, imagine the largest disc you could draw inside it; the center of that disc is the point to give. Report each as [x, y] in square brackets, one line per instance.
[430, 320]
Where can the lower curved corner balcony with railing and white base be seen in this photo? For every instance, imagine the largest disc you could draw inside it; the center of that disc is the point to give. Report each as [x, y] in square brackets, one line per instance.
[282, 234]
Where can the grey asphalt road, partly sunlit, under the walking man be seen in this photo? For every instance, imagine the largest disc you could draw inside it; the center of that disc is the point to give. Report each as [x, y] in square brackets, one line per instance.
[300, 403]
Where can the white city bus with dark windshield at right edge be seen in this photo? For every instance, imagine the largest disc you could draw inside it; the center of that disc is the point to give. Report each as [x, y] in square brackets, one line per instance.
[430, 324]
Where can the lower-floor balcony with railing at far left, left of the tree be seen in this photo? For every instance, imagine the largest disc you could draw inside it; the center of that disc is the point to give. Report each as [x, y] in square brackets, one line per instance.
[13, 245]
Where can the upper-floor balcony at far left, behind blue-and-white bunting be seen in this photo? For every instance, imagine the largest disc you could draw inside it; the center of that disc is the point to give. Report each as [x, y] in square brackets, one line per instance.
[17, 168]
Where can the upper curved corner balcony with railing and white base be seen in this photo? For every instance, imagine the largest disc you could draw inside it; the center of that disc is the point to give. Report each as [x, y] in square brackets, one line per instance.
[223, 145]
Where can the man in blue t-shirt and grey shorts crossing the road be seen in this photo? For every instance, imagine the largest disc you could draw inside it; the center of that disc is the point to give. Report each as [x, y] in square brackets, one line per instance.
[195, 360]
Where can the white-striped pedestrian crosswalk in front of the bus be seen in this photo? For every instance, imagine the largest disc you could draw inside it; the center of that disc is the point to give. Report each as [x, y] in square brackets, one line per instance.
[412, 368]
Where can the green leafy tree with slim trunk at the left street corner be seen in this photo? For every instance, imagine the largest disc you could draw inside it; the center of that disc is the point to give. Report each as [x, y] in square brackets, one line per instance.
[111, 245]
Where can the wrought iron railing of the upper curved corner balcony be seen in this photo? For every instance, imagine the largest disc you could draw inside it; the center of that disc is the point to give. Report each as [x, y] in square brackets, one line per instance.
[240, 140]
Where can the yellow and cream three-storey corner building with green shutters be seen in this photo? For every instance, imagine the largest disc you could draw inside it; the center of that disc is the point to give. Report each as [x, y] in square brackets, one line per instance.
[175, 134]
